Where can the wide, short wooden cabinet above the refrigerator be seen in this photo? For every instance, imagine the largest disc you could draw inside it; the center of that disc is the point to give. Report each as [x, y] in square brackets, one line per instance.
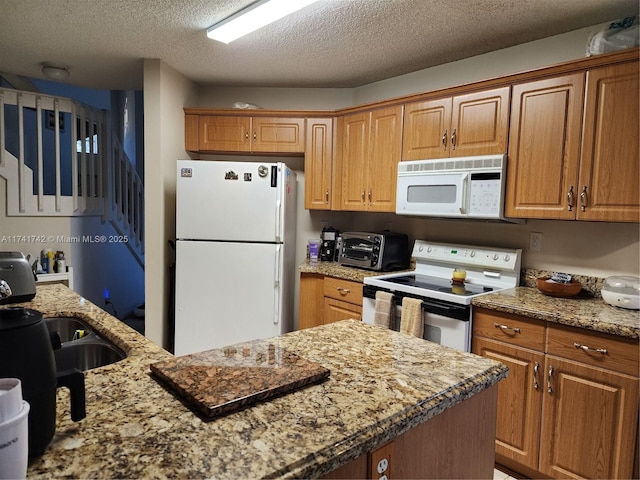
[221, 133]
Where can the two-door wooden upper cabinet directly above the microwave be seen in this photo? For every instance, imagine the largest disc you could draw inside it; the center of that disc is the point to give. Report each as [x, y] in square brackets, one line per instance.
[470, 124]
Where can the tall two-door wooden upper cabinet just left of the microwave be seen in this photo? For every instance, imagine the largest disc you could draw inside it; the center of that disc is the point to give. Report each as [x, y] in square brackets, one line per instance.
[368, 151]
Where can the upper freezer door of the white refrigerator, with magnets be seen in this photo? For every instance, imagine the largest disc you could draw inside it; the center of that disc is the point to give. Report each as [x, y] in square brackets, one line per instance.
[235, 201]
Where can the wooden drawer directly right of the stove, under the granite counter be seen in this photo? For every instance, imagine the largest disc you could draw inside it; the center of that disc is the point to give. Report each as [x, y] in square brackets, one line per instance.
[513, 329]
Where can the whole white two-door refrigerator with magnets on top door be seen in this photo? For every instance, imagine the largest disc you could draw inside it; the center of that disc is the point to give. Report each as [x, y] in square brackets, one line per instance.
[235, 253]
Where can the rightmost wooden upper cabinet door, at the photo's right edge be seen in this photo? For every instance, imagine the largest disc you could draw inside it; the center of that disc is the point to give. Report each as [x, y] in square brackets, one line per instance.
[610, 165]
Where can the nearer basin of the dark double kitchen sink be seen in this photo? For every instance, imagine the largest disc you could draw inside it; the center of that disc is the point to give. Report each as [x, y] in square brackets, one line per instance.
[85, 355]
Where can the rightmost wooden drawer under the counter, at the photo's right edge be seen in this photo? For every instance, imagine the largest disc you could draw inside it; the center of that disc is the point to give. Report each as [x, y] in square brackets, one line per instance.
[594, 348]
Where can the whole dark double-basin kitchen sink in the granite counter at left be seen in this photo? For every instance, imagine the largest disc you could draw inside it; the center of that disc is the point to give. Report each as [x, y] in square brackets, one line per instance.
[81, 347]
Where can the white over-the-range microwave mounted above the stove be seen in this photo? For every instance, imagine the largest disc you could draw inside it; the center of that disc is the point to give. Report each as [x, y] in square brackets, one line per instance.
[464, 187]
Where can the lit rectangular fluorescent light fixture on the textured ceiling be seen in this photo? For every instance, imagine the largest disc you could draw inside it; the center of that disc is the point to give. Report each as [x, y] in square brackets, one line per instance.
[255, 16]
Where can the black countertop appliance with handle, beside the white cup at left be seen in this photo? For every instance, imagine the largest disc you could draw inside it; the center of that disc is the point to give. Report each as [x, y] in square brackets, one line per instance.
[26, 352]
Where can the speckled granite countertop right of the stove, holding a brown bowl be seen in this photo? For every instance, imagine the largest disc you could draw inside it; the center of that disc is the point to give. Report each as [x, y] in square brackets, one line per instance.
[587, 312]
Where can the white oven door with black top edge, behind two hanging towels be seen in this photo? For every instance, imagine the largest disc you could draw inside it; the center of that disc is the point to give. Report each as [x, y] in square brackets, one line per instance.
[445, 323]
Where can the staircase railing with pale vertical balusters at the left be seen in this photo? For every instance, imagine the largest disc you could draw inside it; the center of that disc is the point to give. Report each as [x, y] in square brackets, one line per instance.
[60, 159]
